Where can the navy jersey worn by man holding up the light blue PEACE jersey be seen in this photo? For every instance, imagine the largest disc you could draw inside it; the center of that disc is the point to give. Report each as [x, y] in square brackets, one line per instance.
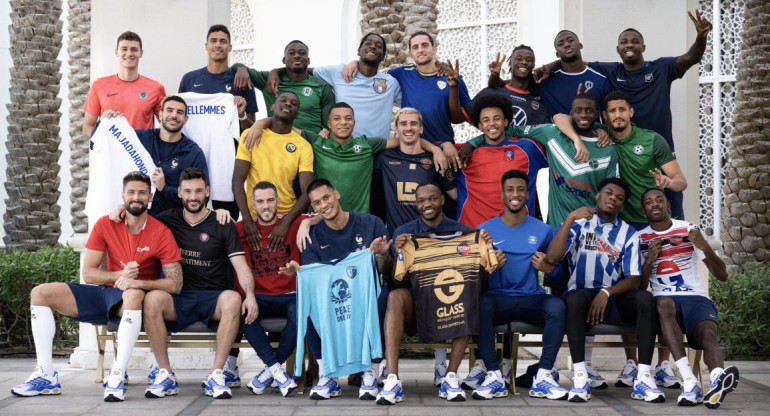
[331, 245]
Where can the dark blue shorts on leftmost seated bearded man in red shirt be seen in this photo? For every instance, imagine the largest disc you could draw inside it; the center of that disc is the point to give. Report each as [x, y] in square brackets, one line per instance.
[97, 305]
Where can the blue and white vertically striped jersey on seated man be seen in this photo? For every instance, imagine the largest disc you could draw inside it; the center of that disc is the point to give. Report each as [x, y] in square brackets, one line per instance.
[600, 253]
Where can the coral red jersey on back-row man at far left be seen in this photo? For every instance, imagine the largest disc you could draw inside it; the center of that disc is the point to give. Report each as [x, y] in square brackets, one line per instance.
[138, 100]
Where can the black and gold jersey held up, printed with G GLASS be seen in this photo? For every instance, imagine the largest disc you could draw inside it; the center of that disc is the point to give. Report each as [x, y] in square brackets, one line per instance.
[446, 271]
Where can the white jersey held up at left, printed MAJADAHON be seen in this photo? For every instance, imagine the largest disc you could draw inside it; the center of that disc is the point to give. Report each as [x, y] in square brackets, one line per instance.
[116, 151]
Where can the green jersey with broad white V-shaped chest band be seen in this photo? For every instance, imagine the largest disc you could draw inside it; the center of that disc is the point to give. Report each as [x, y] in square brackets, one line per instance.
[571, 184]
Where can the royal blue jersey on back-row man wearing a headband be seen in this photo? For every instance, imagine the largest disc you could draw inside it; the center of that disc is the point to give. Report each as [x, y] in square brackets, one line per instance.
[429, 93]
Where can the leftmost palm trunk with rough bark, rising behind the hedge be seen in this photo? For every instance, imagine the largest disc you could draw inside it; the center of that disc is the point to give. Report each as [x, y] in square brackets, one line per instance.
[32, 216]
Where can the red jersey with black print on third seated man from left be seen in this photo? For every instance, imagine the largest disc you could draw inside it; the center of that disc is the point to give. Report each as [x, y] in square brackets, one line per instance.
[265, 263]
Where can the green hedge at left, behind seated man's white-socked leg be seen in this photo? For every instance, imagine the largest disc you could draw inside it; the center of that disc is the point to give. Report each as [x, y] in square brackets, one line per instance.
[20, 271]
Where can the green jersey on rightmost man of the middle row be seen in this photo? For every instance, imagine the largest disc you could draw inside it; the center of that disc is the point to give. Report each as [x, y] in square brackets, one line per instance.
[639, 153]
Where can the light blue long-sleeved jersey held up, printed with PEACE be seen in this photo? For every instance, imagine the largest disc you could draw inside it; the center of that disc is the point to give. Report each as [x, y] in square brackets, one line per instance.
[341, 299]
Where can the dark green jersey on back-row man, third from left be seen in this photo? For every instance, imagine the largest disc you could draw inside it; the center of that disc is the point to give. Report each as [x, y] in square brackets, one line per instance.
[316, 98]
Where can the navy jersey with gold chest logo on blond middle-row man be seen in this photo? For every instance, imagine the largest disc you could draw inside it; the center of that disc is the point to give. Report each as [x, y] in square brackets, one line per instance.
[401, 173]
